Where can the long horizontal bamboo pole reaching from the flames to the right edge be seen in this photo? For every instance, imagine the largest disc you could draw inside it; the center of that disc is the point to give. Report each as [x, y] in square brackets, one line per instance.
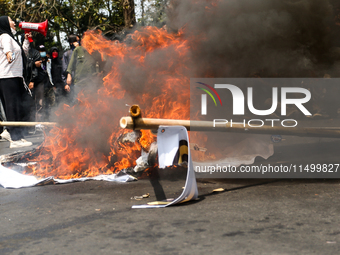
[153, 124]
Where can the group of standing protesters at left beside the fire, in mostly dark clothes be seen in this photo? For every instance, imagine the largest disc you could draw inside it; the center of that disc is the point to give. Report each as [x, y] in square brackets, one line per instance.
[33, 81]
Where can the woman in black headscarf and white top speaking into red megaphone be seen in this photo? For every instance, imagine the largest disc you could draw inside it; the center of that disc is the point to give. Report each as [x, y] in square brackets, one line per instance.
[12, 73]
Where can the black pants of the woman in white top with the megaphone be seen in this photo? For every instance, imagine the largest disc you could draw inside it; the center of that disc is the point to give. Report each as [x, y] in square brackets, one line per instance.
[11, 95]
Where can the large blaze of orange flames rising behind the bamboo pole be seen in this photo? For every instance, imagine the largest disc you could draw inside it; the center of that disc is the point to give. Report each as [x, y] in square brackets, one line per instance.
[88, 145]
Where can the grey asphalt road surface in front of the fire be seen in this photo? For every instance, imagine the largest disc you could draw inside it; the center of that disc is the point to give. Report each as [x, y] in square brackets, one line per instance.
[252, 216]
